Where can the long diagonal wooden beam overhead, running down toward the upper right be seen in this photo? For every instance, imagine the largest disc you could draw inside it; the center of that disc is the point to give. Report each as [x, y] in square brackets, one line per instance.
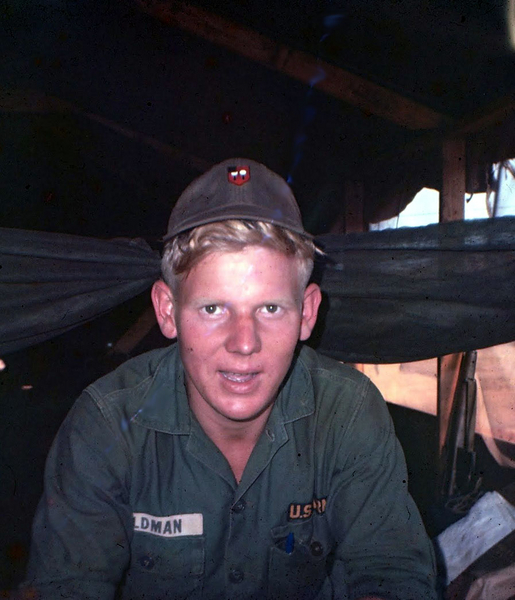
[357, 91]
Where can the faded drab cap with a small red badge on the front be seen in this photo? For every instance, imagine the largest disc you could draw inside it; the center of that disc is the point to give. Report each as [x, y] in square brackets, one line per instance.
[237, 188]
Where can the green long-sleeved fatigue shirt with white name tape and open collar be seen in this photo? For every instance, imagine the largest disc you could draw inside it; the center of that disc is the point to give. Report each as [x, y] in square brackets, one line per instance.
[138, 501]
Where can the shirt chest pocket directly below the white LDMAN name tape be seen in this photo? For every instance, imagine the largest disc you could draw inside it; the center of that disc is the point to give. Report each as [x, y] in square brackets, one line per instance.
[165, 568]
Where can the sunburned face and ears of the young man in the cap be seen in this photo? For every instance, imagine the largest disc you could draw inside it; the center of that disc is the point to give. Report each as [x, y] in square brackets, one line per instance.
[238, 317]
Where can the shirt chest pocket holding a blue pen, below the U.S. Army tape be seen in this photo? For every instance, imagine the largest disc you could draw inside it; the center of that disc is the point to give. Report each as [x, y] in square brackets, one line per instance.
[299, 561]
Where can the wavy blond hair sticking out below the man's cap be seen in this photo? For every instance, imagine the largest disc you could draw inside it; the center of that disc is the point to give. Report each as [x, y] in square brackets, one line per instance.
[187, 249]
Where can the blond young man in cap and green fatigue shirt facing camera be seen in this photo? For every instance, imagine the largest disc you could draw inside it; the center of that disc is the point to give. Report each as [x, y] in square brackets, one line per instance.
[233, 464]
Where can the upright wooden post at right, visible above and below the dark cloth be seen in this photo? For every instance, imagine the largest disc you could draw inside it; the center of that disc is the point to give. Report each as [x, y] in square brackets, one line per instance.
[452, 208]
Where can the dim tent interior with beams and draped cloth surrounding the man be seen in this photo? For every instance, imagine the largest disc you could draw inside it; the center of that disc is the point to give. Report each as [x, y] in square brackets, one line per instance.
[109, 109]
